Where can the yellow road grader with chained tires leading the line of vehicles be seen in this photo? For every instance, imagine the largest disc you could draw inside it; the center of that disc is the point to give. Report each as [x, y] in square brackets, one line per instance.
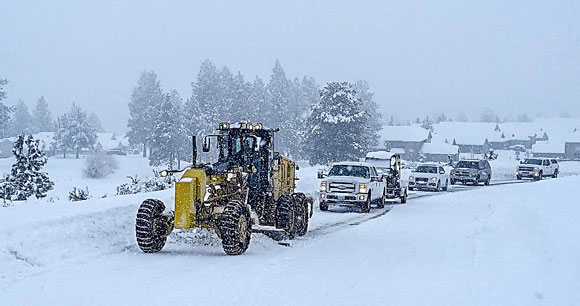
[250, 188]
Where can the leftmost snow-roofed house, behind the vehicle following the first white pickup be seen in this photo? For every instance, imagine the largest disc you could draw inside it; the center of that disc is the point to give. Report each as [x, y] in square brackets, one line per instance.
[405, 140]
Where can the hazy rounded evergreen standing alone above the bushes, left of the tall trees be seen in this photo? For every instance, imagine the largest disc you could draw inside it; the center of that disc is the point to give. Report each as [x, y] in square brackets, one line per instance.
[74, 131]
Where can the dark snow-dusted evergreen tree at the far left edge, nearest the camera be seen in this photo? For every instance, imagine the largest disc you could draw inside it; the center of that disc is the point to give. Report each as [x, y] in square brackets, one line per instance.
[26, 178]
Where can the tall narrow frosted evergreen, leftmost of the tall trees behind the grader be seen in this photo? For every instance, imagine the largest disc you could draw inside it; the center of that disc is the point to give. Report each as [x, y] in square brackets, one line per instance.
[146, 96]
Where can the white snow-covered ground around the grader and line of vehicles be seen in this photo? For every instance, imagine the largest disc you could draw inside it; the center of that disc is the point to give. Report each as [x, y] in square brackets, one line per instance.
[508, 244]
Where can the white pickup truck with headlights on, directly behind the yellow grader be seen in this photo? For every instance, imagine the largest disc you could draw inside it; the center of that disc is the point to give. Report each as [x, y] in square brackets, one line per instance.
[352, 184]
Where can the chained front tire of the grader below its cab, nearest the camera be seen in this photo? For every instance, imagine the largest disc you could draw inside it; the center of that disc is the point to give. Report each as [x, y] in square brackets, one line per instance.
[234, 226]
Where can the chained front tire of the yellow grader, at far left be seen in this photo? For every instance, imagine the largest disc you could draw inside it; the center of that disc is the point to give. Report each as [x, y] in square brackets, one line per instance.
[151, 226]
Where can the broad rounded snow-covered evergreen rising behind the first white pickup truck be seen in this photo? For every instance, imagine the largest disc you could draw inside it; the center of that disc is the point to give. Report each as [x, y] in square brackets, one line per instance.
[337, 125]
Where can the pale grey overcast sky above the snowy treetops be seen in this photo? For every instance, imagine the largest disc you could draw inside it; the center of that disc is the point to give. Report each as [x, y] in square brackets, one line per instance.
[418, 57]
